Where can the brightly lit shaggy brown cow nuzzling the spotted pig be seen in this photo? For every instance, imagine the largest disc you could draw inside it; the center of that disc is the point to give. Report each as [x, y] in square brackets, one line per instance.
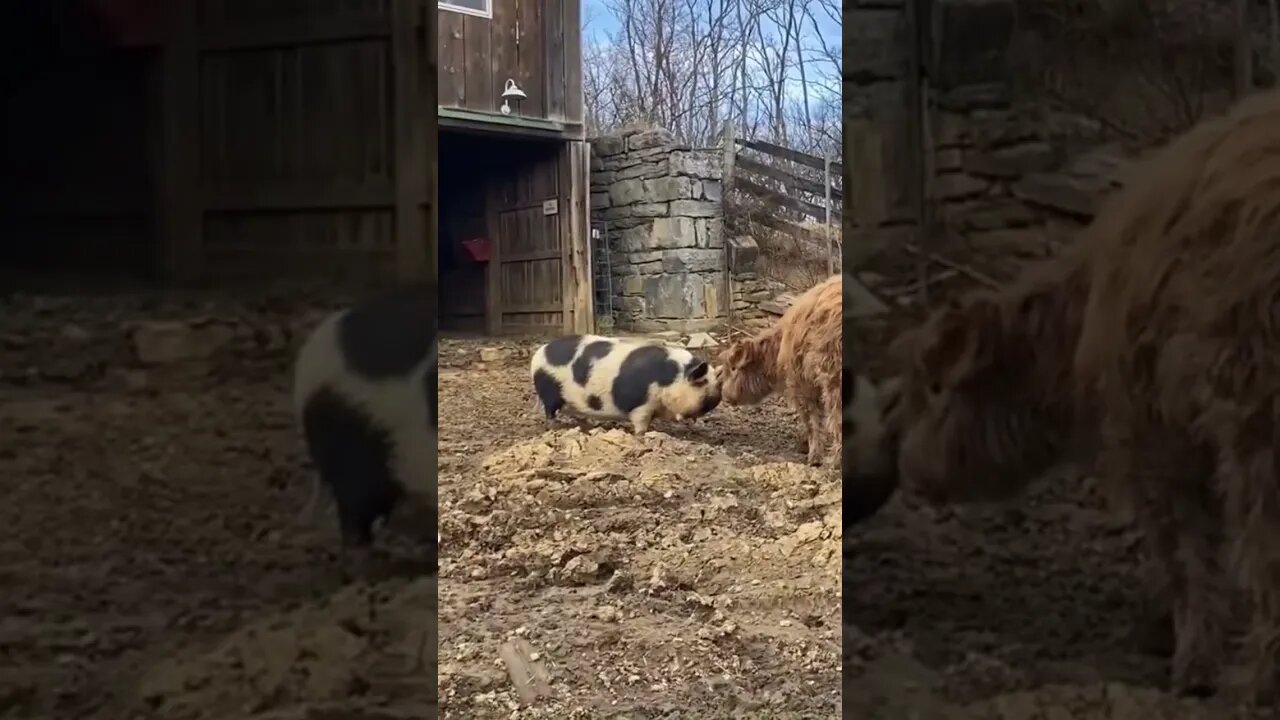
[803, 356]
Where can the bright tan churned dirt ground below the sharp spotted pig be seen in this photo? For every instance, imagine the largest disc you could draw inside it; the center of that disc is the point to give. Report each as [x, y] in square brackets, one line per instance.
[689, 573]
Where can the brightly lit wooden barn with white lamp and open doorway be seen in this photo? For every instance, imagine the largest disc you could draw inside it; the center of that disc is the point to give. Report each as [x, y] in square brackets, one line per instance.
[515, 249]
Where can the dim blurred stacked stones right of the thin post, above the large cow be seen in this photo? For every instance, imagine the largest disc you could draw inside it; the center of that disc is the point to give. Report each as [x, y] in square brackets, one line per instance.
[1008, 175]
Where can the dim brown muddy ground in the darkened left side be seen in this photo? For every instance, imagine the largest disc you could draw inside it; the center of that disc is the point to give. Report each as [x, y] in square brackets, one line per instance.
[153, 559]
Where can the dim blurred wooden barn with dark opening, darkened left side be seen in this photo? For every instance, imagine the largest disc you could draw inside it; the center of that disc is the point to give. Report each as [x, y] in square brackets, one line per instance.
[214, 142]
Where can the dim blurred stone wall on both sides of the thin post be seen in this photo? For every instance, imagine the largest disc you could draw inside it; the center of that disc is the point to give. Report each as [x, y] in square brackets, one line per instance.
[1005, 175]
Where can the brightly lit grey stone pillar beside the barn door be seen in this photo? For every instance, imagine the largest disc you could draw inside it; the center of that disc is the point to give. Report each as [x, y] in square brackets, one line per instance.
[662, 204]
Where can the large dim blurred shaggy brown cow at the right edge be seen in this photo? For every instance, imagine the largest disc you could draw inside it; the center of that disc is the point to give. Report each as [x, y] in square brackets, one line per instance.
[1160, 335]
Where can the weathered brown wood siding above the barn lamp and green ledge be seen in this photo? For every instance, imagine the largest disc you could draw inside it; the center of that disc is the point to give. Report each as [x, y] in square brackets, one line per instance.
[536, 43]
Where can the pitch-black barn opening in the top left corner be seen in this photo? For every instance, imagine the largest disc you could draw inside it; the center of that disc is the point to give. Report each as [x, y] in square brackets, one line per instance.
[80, 126]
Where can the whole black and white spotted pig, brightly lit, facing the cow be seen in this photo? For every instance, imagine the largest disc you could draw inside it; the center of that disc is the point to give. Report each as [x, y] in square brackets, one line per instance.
[623, 380]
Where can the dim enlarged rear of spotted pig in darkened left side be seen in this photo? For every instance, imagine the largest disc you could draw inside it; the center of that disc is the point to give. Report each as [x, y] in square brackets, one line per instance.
[365, 394]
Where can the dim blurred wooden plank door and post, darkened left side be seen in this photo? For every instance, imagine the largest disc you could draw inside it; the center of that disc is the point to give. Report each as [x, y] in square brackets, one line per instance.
[313, 143]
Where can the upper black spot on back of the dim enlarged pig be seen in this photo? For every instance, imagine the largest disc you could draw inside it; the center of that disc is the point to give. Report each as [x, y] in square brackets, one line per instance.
[388, 335]
